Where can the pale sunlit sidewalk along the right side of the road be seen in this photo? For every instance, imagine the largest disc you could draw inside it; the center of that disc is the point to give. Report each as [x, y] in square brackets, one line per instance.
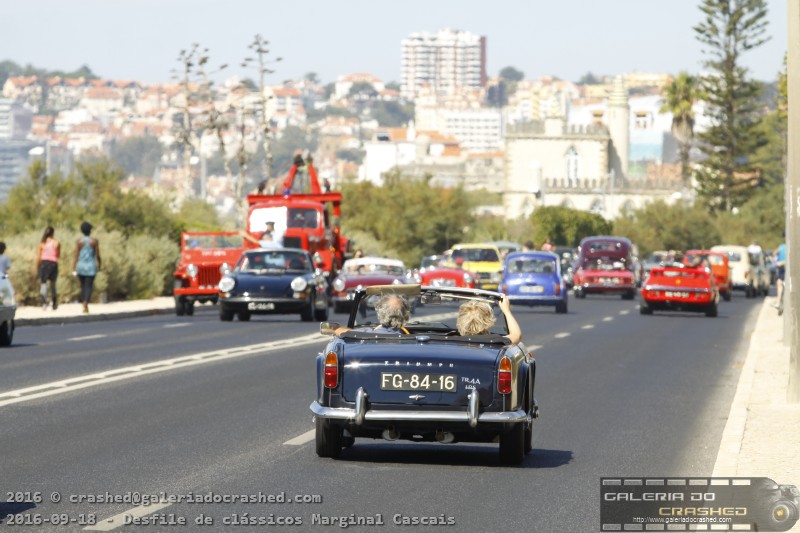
[762, 435]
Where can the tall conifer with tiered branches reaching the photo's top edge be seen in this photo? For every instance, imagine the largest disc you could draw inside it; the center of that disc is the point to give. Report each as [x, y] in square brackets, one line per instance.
[728, 30]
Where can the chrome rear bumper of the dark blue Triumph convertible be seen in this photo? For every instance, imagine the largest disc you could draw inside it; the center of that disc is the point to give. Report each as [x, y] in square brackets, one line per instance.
[470, 416]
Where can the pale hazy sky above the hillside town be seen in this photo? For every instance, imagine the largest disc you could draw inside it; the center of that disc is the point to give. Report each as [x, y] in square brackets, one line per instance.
[141, 39]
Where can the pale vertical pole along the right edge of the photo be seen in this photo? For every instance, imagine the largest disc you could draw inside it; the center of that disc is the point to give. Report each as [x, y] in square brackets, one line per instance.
[790, 297]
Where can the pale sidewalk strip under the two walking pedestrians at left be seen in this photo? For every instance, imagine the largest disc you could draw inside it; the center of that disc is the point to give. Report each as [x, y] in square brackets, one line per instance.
[32, 315]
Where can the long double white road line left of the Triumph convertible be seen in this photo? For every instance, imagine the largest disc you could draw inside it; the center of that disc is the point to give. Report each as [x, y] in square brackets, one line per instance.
[119, 374]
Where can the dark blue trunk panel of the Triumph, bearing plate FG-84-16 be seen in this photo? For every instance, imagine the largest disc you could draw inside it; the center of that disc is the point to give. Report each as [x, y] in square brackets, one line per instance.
[439, 373]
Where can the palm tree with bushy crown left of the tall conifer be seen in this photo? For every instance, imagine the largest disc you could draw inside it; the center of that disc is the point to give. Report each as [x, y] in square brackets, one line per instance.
[679, 97]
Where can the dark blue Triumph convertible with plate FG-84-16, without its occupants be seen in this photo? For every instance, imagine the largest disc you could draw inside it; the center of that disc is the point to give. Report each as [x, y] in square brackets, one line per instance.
[429, 384]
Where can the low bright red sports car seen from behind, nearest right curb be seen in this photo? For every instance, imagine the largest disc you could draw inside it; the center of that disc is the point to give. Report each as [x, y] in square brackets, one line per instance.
[680, 288]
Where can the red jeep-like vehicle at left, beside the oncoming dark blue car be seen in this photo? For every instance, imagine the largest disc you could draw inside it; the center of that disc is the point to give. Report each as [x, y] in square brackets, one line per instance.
[205, 256]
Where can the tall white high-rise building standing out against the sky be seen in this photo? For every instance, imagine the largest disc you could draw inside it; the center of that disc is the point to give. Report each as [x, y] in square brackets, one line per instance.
[443, 61]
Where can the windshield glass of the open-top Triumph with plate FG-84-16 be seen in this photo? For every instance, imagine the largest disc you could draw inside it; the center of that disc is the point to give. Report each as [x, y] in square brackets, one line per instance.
[431, 312]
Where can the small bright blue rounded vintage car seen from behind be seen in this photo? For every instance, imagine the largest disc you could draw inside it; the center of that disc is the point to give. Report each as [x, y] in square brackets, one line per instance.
[533, 279]
